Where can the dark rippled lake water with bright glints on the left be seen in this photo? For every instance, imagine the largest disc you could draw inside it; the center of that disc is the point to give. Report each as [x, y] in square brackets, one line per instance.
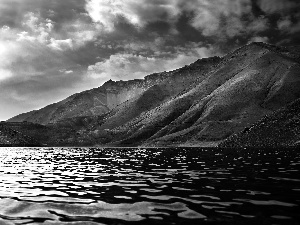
[149, 186]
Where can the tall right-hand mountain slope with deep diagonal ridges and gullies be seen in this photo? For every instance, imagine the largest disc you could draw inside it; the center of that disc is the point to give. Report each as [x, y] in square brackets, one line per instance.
[248, 84]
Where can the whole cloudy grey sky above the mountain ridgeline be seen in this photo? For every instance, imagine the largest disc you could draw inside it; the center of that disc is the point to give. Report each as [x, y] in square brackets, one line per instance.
[51, 49]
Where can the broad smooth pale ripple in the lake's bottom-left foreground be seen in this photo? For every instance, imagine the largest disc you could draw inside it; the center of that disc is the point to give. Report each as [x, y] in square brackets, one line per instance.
[17, 210]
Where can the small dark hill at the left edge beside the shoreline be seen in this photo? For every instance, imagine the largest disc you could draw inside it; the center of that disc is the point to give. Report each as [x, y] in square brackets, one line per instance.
[9, 137]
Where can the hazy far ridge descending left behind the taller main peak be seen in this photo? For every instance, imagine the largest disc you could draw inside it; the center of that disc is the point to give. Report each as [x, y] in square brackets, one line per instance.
[105, 98]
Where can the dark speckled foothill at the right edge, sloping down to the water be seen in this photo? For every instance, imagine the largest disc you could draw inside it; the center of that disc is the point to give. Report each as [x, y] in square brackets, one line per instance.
[280, 129]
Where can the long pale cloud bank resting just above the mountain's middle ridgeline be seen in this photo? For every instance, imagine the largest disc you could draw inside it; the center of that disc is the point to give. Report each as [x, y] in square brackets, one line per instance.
[127, 66]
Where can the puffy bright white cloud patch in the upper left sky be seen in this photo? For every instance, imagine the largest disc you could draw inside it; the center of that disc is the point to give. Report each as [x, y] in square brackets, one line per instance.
[75, 34]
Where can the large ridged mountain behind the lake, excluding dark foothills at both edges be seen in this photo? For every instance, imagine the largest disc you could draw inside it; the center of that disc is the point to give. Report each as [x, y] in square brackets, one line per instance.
[205, 102]
